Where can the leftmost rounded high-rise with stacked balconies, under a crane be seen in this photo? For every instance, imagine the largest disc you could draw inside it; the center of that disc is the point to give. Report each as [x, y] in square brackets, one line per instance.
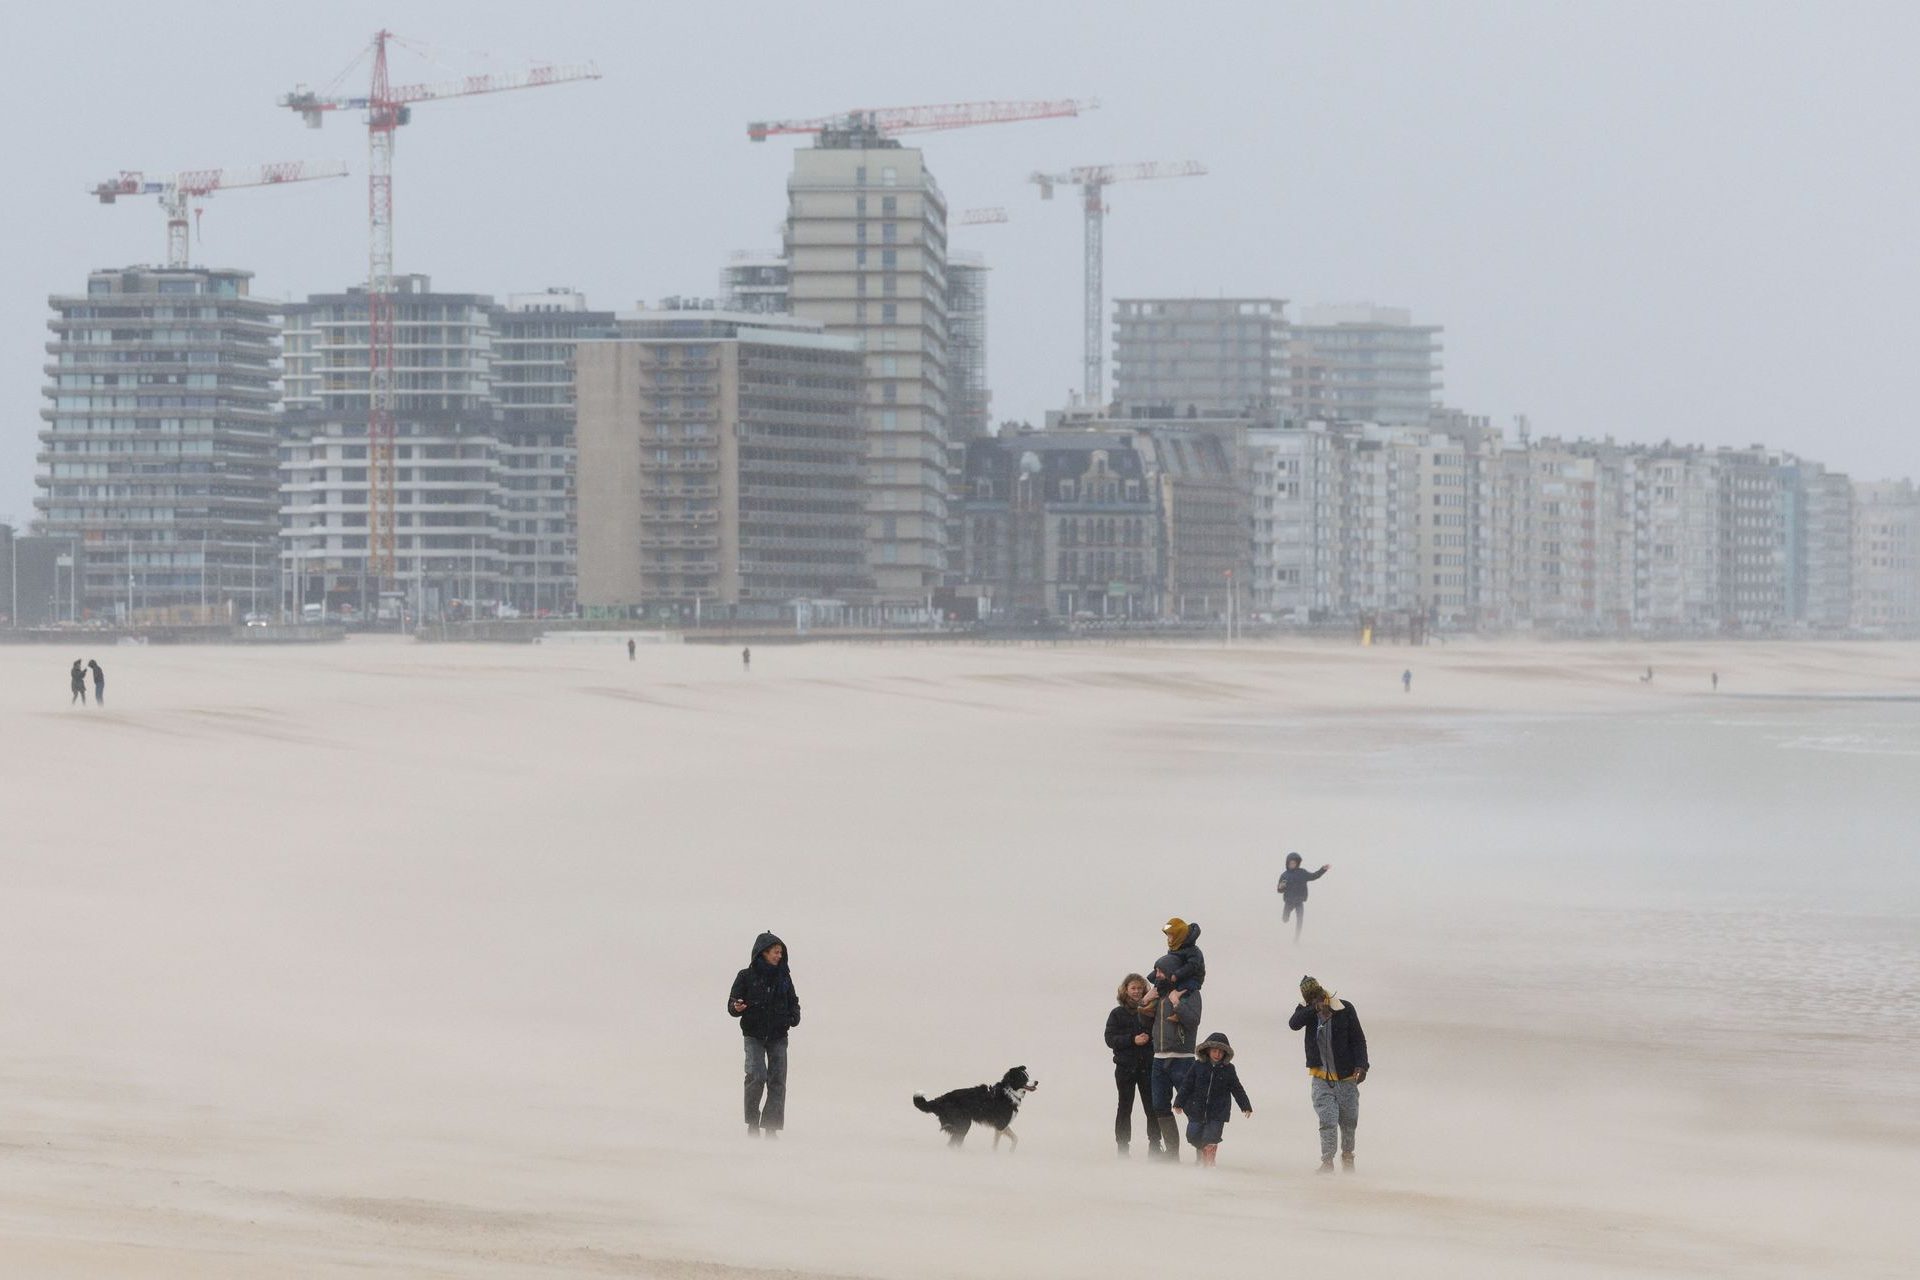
[156, 444]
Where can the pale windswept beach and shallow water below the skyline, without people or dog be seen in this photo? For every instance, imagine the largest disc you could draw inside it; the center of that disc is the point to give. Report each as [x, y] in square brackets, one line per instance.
[400, 960]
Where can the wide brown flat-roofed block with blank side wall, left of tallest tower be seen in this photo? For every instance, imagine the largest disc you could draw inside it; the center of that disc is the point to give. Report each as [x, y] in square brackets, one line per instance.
[721, 465]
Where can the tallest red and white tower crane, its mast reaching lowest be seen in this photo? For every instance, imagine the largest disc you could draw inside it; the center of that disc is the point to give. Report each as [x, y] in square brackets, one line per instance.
[389, 107]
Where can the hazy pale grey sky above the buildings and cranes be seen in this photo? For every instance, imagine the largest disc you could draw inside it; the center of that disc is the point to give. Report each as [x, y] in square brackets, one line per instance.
[1687, 222]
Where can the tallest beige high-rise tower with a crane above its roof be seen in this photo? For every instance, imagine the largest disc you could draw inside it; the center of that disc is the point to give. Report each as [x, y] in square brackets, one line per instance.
[867, 260]
